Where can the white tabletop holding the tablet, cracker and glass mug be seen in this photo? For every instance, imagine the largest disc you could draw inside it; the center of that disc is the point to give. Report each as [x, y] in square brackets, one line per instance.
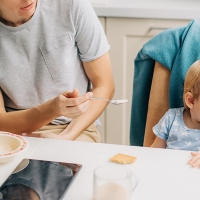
[163, 174]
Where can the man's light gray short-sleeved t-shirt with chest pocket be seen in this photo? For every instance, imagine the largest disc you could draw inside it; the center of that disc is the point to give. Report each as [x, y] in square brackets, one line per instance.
[43, 57]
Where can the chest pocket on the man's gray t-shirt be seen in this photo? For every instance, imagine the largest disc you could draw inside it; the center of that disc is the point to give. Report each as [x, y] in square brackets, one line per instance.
[57, 56]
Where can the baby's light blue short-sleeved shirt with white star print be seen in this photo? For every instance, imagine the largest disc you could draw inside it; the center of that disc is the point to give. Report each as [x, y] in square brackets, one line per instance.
[172, 128]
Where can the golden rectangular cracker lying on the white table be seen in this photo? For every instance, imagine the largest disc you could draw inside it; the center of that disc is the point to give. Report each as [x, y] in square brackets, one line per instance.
[123, 159]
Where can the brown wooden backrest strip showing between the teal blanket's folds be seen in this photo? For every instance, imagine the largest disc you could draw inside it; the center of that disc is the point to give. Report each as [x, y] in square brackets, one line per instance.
[158, 101]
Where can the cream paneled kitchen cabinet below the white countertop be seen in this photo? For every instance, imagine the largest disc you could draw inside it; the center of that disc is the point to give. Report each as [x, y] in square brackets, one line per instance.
[126, 37]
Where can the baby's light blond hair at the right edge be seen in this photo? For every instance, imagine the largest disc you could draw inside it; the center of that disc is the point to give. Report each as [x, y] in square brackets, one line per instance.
[192, 81]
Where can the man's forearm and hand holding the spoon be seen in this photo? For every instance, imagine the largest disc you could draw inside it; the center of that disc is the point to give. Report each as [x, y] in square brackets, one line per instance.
[27, 121]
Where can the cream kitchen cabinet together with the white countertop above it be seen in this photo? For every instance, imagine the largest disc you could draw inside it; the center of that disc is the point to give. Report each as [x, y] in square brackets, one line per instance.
[128, 25]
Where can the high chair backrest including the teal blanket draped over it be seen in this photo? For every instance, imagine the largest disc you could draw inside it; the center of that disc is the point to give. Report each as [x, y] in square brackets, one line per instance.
[158, 87]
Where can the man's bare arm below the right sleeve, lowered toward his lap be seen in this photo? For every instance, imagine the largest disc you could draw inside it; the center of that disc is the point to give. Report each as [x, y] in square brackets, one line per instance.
[99, 72]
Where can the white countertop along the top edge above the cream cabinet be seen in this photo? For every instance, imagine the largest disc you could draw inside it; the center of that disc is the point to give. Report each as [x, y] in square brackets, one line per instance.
[162, 9]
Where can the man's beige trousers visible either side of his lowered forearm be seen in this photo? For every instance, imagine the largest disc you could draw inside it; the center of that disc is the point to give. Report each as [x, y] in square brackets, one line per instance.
[91, 134]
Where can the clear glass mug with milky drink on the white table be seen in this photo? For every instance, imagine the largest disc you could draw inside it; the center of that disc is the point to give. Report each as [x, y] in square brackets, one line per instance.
[112, 182]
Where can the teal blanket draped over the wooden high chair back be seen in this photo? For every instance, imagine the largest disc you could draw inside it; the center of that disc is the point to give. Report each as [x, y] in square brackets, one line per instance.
[176, 49]
